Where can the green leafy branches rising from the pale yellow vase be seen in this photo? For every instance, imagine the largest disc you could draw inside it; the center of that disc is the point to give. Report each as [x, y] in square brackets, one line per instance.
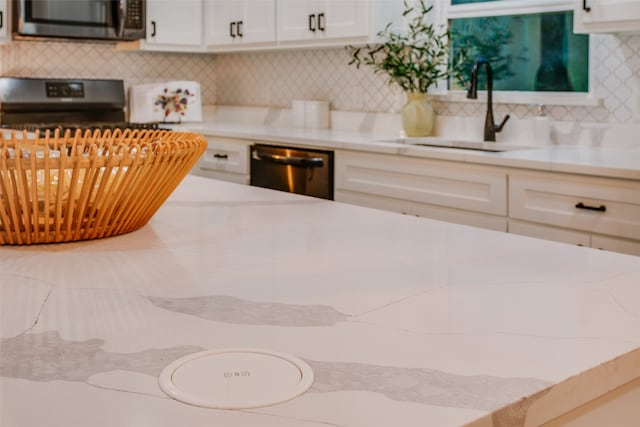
[414, 60]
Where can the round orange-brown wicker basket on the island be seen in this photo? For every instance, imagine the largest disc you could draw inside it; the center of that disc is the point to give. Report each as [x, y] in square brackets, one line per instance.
[77, 186]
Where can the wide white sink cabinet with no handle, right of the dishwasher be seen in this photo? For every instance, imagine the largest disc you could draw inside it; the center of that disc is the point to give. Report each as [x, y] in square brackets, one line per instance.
[449, 191]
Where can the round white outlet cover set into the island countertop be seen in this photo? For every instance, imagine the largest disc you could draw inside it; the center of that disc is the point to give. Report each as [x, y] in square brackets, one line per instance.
[236, 378]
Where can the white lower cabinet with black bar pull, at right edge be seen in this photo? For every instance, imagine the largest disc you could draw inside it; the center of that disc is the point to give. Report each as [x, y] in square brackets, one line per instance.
[598, 212]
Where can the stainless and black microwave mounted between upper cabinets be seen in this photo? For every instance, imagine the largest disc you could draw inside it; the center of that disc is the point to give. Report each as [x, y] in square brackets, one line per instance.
[80, 19]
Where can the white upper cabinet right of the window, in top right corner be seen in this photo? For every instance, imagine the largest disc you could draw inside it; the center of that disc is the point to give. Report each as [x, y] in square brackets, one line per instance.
[606, 16]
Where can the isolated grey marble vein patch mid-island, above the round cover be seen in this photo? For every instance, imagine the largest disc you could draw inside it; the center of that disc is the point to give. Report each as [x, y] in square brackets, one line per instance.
[220, 308]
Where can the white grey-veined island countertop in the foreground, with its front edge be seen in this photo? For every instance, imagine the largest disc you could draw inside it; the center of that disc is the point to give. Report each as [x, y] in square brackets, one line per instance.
[405, 321]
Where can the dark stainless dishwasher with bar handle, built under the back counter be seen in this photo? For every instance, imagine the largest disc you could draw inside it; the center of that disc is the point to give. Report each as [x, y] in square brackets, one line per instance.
[296, 170]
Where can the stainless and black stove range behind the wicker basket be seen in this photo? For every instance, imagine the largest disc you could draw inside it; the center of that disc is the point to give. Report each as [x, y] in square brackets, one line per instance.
[41, 104]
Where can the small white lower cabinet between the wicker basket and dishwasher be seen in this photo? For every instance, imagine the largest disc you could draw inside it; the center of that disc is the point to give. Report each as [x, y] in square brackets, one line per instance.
[225, 159]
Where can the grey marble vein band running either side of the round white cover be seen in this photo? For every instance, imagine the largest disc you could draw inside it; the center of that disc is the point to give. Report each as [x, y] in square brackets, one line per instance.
[48, 357]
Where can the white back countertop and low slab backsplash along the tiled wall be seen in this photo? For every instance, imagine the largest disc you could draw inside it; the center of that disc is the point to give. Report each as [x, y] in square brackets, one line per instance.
[617, 157]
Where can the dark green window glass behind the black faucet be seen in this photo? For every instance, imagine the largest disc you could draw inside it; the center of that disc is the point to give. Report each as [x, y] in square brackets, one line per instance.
[536, 52]
